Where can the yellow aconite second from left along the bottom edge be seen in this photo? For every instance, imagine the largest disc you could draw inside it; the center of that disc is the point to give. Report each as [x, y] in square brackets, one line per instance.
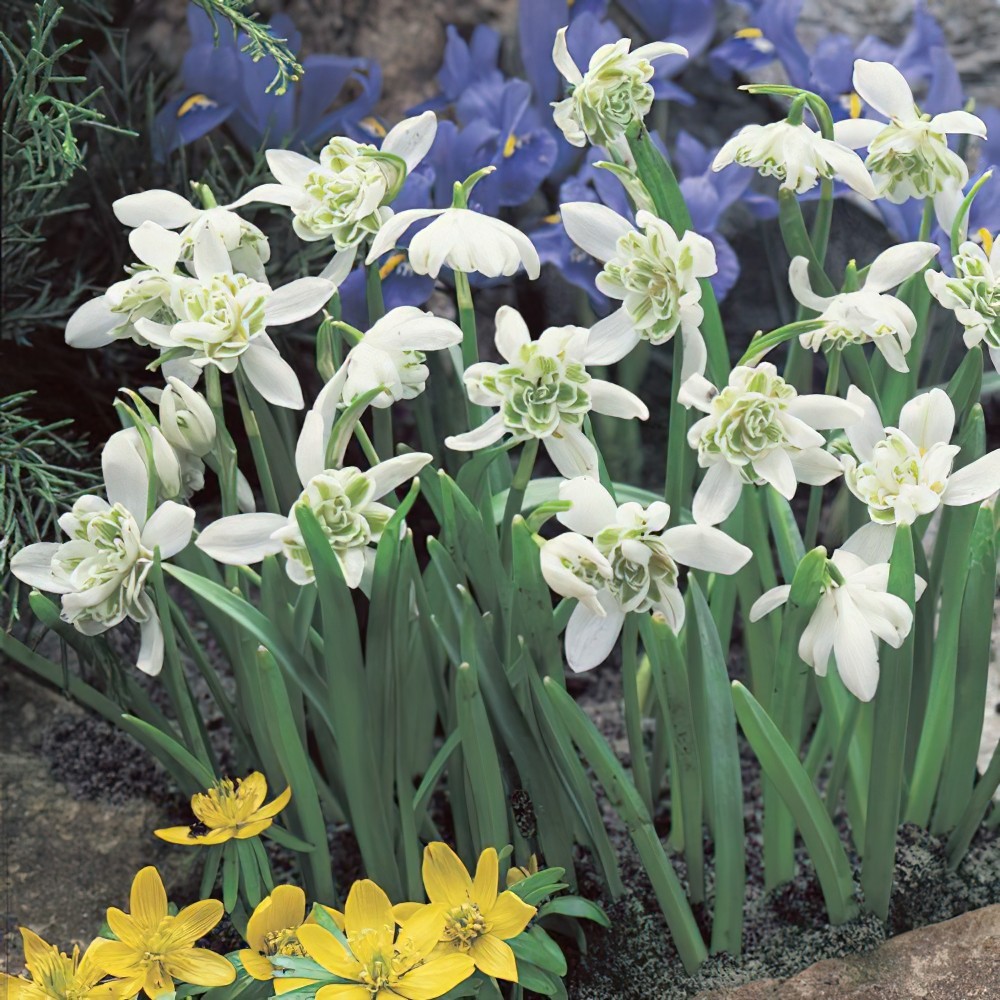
[154, 948]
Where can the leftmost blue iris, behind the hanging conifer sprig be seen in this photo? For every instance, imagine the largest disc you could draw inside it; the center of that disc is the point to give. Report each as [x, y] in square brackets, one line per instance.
[224, 85]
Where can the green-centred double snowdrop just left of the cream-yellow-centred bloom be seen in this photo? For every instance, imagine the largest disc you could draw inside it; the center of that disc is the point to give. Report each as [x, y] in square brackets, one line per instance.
[758, 429]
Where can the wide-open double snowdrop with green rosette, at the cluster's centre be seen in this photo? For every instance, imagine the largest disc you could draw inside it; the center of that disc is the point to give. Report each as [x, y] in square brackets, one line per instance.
[545, 392]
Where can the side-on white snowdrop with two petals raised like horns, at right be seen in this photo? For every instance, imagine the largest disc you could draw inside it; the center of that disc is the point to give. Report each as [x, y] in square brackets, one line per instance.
[867, 315]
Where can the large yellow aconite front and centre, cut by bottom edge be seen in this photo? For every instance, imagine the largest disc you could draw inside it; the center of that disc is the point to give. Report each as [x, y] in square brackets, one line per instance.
[381, 964]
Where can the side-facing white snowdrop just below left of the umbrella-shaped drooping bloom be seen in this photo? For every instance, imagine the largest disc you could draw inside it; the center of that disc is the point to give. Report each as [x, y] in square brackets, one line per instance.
[390, 355]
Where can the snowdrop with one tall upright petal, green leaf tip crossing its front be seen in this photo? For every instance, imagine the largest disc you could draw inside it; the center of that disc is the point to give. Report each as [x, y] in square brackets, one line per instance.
[343, 501]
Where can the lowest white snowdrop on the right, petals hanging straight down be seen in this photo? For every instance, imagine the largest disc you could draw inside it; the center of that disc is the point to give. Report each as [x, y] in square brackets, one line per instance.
[853, 613]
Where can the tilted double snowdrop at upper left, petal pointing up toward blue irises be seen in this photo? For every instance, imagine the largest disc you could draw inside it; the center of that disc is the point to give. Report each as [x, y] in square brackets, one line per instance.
[345, 196]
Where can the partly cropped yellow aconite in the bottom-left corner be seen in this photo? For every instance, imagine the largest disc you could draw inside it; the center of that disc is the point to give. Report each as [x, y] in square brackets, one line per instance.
[58, 976]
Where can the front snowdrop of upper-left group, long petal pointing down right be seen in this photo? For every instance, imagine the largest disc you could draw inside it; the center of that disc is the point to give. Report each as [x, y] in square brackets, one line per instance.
[221, 318]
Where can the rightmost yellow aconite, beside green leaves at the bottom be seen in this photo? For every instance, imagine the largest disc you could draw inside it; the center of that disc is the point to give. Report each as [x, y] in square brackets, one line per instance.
[473, 919]
